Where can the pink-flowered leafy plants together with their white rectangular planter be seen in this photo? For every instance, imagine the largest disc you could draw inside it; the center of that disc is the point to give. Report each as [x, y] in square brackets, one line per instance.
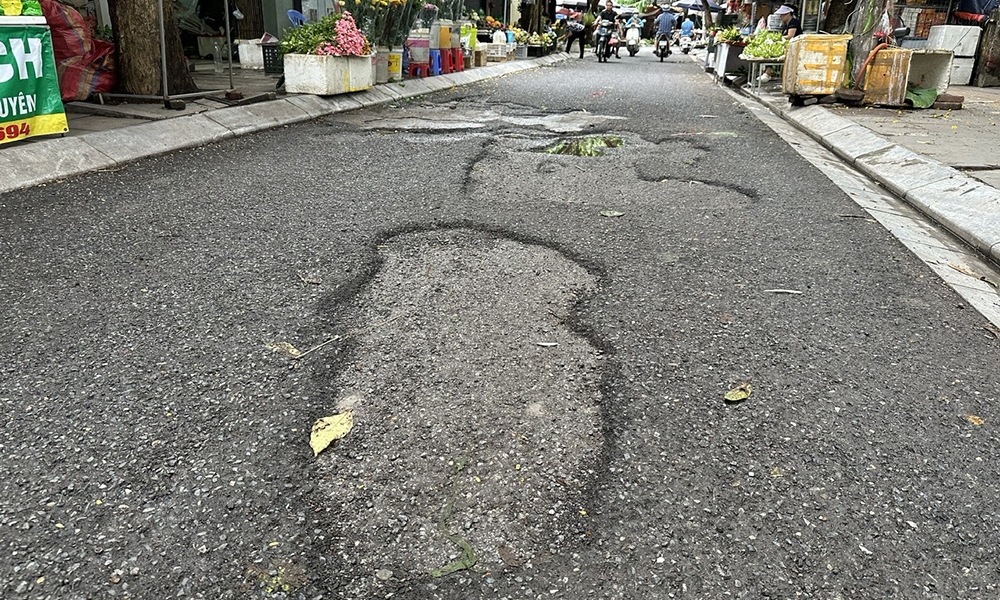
[327, 57]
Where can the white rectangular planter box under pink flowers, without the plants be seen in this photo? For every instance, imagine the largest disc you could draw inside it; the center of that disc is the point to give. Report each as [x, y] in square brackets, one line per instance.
[327, 75]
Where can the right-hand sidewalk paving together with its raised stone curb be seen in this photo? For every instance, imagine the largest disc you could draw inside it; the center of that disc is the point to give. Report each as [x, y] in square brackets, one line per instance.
[946, 164]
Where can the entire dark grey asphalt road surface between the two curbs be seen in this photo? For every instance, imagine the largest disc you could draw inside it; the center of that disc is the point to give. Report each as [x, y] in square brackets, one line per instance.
[535, 348]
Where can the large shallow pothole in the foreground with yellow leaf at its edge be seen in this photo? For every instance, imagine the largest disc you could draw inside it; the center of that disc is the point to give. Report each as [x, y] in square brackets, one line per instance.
[476, 408]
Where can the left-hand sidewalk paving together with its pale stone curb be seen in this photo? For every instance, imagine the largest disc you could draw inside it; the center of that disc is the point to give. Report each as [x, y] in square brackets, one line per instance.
[102, 137]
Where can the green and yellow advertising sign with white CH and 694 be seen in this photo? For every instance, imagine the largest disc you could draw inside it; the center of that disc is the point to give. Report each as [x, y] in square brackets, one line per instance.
[30, 103]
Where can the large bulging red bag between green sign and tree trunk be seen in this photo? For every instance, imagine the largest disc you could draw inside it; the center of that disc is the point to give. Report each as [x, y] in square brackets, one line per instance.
[86, 65]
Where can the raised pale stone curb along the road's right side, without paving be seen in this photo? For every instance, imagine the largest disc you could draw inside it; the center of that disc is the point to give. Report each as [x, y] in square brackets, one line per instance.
[966, 207]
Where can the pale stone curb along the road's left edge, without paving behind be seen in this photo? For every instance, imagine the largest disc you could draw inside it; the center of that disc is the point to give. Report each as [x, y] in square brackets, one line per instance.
[54, 159]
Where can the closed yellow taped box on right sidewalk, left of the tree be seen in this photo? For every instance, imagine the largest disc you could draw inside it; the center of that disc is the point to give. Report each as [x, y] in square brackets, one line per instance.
[815, 64]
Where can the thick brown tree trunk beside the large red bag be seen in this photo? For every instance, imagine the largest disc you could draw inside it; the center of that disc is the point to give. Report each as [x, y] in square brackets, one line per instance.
[136, 24]
